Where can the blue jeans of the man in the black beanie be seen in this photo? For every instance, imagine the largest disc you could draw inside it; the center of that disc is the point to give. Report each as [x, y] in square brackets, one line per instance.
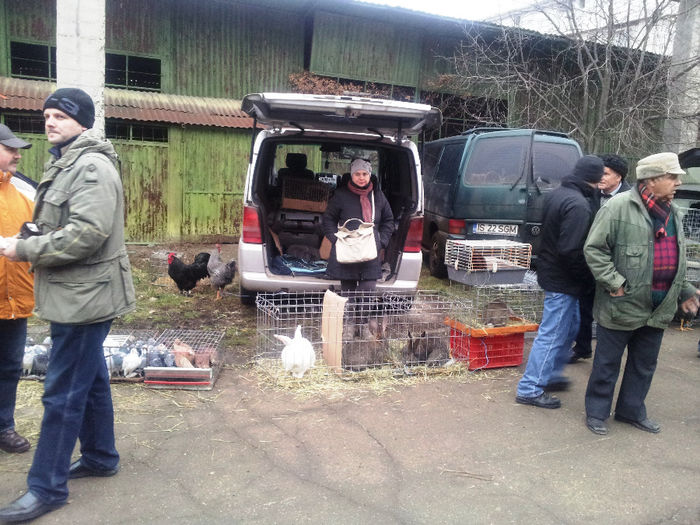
[77, 404]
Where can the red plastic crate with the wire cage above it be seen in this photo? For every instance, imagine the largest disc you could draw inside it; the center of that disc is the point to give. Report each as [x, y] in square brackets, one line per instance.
[492, 334]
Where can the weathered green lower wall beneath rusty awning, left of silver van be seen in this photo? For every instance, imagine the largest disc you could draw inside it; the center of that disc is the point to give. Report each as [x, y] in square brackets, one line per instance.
[188, 189]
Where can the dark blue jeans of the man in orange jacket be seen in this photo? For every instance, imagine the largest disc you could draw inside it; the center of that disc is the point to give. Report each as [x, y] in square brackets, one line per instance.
[13, 334]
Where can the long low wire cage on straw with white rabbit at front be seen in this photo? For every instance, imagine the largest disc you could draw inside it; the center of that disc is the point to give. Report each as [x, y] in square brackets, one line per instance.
[354, 331]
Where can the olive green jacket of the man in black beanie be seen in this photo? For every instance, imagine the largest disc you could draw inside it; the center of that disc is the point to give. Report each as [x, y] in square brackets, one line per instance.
[81, 269]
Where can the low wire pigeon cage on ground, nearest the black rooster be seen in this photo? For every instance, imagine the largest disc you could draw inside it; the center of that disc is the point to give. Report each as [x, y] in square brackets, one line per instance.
[184, 360]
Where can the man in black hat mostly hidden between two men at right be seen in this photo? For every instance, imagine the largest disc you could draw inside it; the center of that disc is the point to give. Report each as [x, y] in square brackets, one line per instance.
[612, 183]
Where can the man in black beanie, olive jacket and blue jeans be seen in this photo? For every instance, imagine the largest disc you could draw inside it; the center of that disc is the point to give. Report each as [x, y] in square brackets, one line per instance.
[82, 282]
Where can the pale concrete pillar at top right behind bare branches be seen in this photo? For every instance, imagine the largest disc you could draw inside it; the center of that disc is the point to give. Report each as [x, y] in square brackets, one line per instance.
[681, 133]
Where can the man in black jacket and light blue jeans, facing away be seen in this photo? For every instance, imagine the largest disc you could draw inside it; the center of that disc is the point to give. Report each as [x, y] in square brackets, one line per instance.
[563, 273]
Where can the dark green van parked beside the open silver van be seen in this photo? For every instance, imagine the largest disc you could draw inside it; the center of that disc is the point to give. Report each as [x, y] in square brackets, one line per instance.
[490, 183]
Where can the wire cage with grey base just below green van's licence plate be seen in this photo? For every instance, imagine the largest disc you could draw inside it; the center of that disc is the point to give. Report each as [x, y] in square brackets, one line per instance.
[492, 261]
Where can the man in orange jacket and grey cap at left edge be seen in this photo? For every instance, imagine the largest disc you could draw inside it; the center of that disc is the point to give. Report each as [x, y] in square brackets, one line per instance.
[16, 291]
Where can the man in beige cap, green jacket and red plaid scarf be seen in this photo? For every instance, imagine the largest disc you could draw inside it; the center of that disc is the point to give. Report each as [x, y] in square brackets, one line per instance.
[635, 250]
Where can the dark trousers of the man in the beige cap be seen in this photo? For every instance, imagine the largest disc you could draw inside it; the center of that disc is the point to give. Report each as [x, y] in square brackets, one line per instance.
[642, 353]
